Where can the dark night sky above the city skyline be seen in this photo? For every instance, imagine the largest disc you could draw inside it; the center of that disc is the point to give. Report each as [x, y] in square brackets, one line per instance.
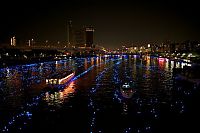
[116, 23]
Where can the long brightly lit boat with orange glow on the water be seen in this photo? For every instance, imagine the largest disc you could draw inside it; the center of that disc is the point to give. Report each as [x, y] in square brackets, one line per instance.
[60, 79]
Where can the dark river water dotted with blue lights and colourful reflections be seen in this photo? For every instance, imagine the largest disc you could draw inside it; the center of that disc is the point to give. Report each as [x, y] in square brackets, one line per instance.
[92, 102]
